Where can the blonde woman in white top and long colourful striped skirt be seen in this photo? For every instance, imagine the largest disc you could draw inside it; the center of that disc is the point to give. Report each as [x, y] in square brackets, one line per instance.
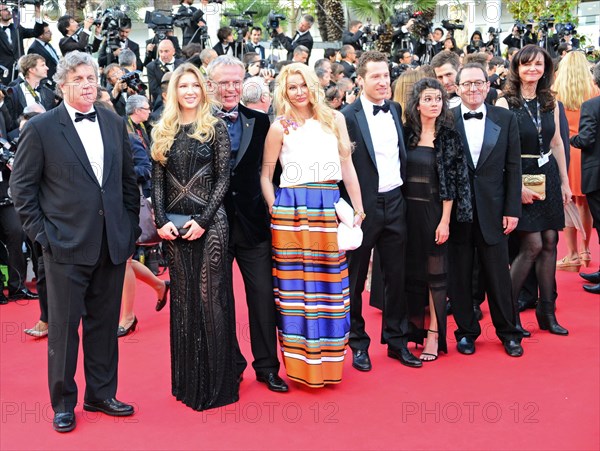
[310, 273]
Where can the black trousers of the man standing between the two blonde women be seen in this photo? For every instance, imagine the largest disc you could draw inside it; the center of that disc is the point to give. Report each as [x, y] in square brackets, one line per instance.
[256, 265]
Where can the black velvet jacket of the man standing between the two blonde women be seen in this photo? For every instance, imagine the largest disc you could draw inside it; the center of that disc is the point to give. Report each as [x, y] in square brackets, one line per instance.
[244, 200]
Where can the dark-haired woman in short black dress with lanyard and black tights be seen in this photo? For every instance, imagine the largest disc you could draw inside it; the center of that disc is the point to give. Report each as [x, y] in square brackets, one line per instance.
[528, 93]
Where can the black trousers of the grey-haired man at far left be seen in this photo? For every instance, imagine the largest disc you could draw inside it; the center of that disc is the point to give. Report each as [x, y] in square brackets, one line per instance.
[90, 295]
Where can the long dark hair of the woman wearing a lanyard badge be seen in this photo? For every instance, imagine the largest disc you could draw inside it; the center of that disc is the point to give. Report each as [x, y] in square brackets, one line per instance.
[512, 89]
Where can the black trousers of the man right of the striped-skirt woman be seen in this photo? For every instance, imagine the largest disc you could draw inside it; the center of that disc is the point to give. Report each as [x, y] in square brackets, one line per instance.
[386, 231]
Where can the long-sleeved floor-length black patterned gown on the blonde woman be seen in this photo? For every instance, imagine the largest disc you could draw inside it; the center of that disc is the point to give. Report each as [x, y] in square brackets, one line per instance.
[194, 181]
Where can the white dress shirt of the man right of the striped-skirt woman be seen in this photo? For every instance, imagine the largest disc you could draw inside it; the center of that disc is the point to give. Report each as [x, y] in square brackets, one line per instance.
[385, 143]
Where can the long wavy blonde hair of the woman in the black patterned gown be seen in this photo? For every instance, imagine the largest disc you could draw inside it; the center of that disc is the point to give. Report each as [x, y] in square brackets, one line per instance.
[163, 134]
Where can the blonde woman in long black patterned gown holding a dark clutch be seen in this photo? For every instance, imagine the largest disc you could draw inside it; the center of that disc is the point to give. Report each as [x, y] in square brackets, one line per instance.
[190, 177]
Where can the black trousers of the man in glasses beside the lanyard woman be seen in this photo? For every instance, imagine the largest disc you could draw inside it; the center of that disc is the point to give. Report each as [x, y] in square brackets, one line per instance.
[493, 262]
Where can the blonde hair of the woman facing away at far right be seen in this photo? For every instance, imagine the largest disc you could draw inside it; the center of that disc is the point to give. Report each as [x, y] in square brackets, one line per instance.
[574, 83]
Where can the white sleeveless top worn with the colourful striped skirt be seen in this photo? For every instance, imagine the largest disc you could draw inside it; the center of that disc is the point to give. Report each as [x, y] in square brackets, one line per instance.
[309, 155]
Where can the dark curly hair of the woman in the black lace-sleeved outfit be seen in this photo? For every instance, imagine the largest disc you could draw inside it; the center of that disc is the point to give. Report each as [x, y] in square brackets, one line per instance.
[413, 115]
